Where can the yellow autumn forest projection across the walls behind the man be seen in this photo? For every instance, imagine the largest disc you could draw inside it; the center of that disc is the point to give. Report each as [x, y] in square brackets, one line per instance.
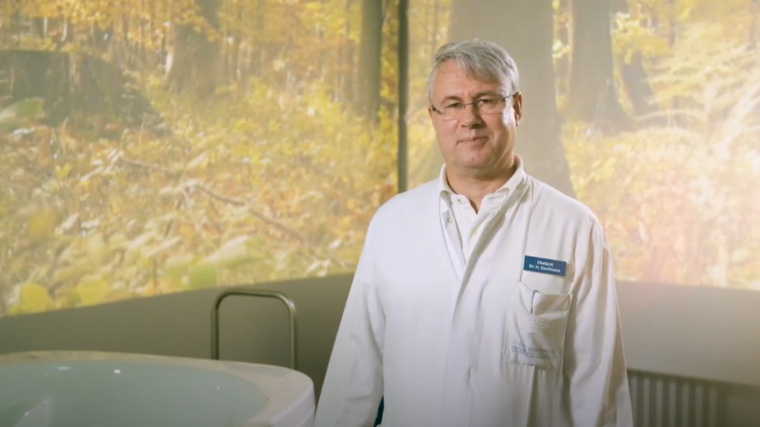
[150, 147]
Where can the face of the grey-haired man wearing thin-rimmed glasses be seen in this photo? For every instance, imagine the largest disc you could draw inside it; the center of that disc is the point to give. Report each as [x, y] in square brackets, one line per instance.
[475, 143]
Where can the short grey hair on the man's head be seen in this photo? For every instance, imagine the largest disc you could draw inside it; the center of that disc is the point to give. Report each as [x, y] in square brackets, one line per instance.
[480, 60]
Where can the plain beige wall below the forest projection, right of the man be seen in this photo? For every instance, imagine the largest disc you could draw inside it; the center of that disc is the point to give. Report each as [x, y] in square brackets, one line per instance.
[692, 331]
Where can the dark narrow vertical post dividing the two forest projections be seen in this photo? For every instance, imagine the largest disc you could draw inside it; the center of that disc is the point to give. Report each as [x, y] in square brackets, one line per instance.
[403, 93]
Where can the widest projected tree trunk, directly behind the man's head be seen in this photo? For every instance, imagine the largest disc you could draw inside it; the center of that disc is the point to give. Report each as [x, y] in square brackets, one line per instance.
[529, 39]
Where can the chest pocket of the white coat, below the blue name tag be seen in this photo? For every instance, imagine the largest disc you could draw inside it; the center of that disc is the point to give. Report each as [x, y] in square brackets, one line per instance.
[536, 327]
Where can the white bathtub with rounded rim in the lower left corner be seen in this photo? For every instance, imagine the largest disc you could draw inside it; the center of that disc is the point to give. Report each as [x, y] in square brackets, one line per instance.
[94, 389]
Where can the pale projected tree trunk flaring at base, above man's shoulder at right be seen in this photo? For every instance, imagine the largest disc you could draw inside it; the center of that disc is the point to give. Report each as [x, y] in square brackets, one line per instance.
[592, 96]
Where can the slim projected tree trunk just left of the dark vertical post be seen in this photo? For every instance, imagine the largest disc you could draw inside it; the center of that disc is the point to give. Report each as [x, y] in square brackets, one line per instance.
[369, 59]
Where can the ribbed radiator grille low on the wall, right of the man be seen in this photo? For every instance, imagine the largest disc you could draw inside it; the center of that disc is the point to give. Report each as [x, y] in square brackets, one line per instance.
[667, 401]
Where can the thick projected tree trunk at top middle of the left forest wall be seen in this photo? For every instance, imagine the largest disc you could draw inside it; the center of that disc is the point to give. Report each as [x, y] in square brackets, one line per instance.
[195, 58]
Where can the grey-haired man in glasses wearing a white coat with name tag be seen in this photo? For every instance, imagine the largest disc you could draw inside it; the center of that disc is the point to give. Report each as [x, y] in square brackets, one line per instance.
[484, 298]
